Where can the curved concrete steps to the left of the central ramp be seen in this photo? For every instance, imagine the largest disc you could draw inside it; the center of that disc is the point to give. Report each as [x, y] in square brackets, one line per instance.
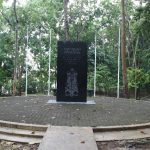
[24, 133]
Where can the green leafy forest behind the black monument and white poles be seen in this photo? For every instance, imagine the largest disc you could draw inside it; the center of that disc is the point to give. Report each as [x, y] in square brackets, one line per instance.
[25, 41]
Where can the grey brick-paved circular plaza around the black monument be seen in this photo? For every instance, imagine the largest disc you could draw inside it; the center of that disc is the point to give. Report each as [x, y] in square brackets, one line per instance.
[106, 112]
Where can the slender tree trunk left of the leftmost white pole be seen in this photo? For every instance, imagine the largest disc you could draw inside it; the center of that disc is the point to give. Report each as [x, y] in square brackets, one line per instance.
[16, 49]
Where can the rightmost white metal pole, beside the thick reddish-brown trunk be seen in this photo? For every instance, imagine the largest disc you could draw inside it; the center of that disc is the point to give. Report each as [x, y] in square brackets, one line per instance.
[118, 87]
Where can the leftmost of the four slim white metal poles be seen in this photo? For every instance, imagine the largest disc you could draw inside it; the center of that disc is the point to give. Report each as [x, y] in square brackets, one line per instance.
[26, 89]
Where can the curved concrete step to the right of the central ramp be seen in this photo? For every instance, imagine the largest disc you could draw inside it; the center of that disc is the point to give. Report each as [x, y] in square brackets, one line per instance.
[124, 132]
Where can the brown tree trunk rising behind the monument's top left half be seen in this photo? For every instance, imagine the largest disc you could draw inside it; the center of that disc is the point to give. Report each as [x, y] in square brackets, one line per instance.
[66, 19]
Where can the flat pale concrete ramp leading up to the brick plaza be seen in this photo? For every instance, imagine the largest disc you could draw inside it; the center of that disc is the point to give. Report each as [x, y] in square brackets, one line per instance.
[68, 138]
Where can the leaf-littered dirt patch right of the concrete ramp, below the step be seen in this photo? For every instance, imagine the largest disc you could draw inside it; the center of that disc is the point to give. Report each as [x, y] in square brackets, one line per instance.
[140, 144]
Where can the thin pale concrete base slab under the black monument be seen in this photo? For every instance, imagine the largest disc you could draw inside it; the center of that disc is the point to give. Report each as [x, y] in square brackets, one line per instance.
[89, 102]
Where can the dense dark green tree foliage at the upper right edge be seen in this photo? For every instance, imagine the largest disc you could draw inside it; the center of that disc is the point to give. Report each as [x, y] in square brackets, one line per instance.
[140, 27]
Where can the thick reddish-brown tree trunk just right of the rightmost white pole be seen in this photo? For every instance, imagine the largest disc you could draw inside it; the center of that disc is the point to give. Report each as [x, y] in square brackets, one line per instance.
[123, 50]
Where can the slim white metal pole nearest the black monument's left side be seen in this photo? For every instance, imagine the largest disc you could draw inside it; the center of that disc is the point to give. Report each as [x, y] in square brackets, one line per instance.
[49, 72]
